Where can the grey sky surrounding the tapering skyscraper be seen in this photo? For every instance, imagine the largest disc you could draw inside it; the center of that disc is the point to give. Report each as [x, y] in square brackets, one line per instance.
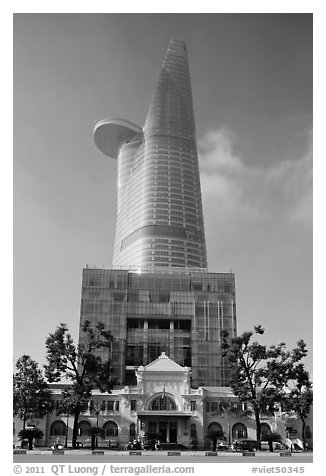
[252, 88]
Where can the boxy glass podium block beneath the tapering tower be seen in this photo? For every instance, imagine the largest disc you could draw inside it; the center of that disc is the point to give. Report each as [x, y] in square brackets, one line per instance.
[179, 312]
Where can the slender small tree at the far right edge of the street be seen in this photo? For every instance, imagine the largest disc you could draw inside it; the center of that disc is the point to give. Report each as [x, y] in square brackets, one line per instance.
[299, 396]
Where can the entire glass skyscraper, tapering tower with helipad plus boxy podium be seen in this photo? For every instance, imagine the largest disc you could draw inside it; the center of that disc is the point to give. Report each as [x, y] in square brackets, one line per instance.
[159, 296]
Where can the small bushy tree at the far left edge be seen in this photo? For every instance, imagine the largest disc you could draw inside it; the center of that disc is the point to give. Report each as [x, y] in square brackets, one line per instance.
[31, 394]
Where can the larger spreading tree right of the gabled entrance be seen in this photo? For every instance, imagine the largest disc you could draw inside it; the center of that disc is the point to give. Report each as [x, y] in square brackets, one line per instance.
[259, 373]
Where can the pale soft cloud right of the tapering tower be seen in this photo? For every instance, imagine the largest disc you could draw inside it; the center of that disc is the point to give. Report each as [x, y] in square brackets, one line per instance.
[234, 191]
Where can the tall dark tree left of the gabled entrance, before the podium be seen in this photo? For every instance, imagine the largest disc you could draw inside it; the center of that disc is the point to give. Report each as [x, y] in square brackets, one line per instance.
[81, 365]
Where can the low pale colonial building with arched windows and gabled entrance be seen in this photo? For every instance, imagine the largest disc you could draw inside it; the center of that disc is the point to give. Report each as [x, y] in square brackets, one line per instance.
[162, 402]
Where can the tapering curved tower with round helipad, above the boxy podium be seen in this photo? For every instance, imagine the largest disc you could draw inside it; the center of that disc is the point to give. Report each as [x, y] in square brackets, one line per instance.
[159, 217]
